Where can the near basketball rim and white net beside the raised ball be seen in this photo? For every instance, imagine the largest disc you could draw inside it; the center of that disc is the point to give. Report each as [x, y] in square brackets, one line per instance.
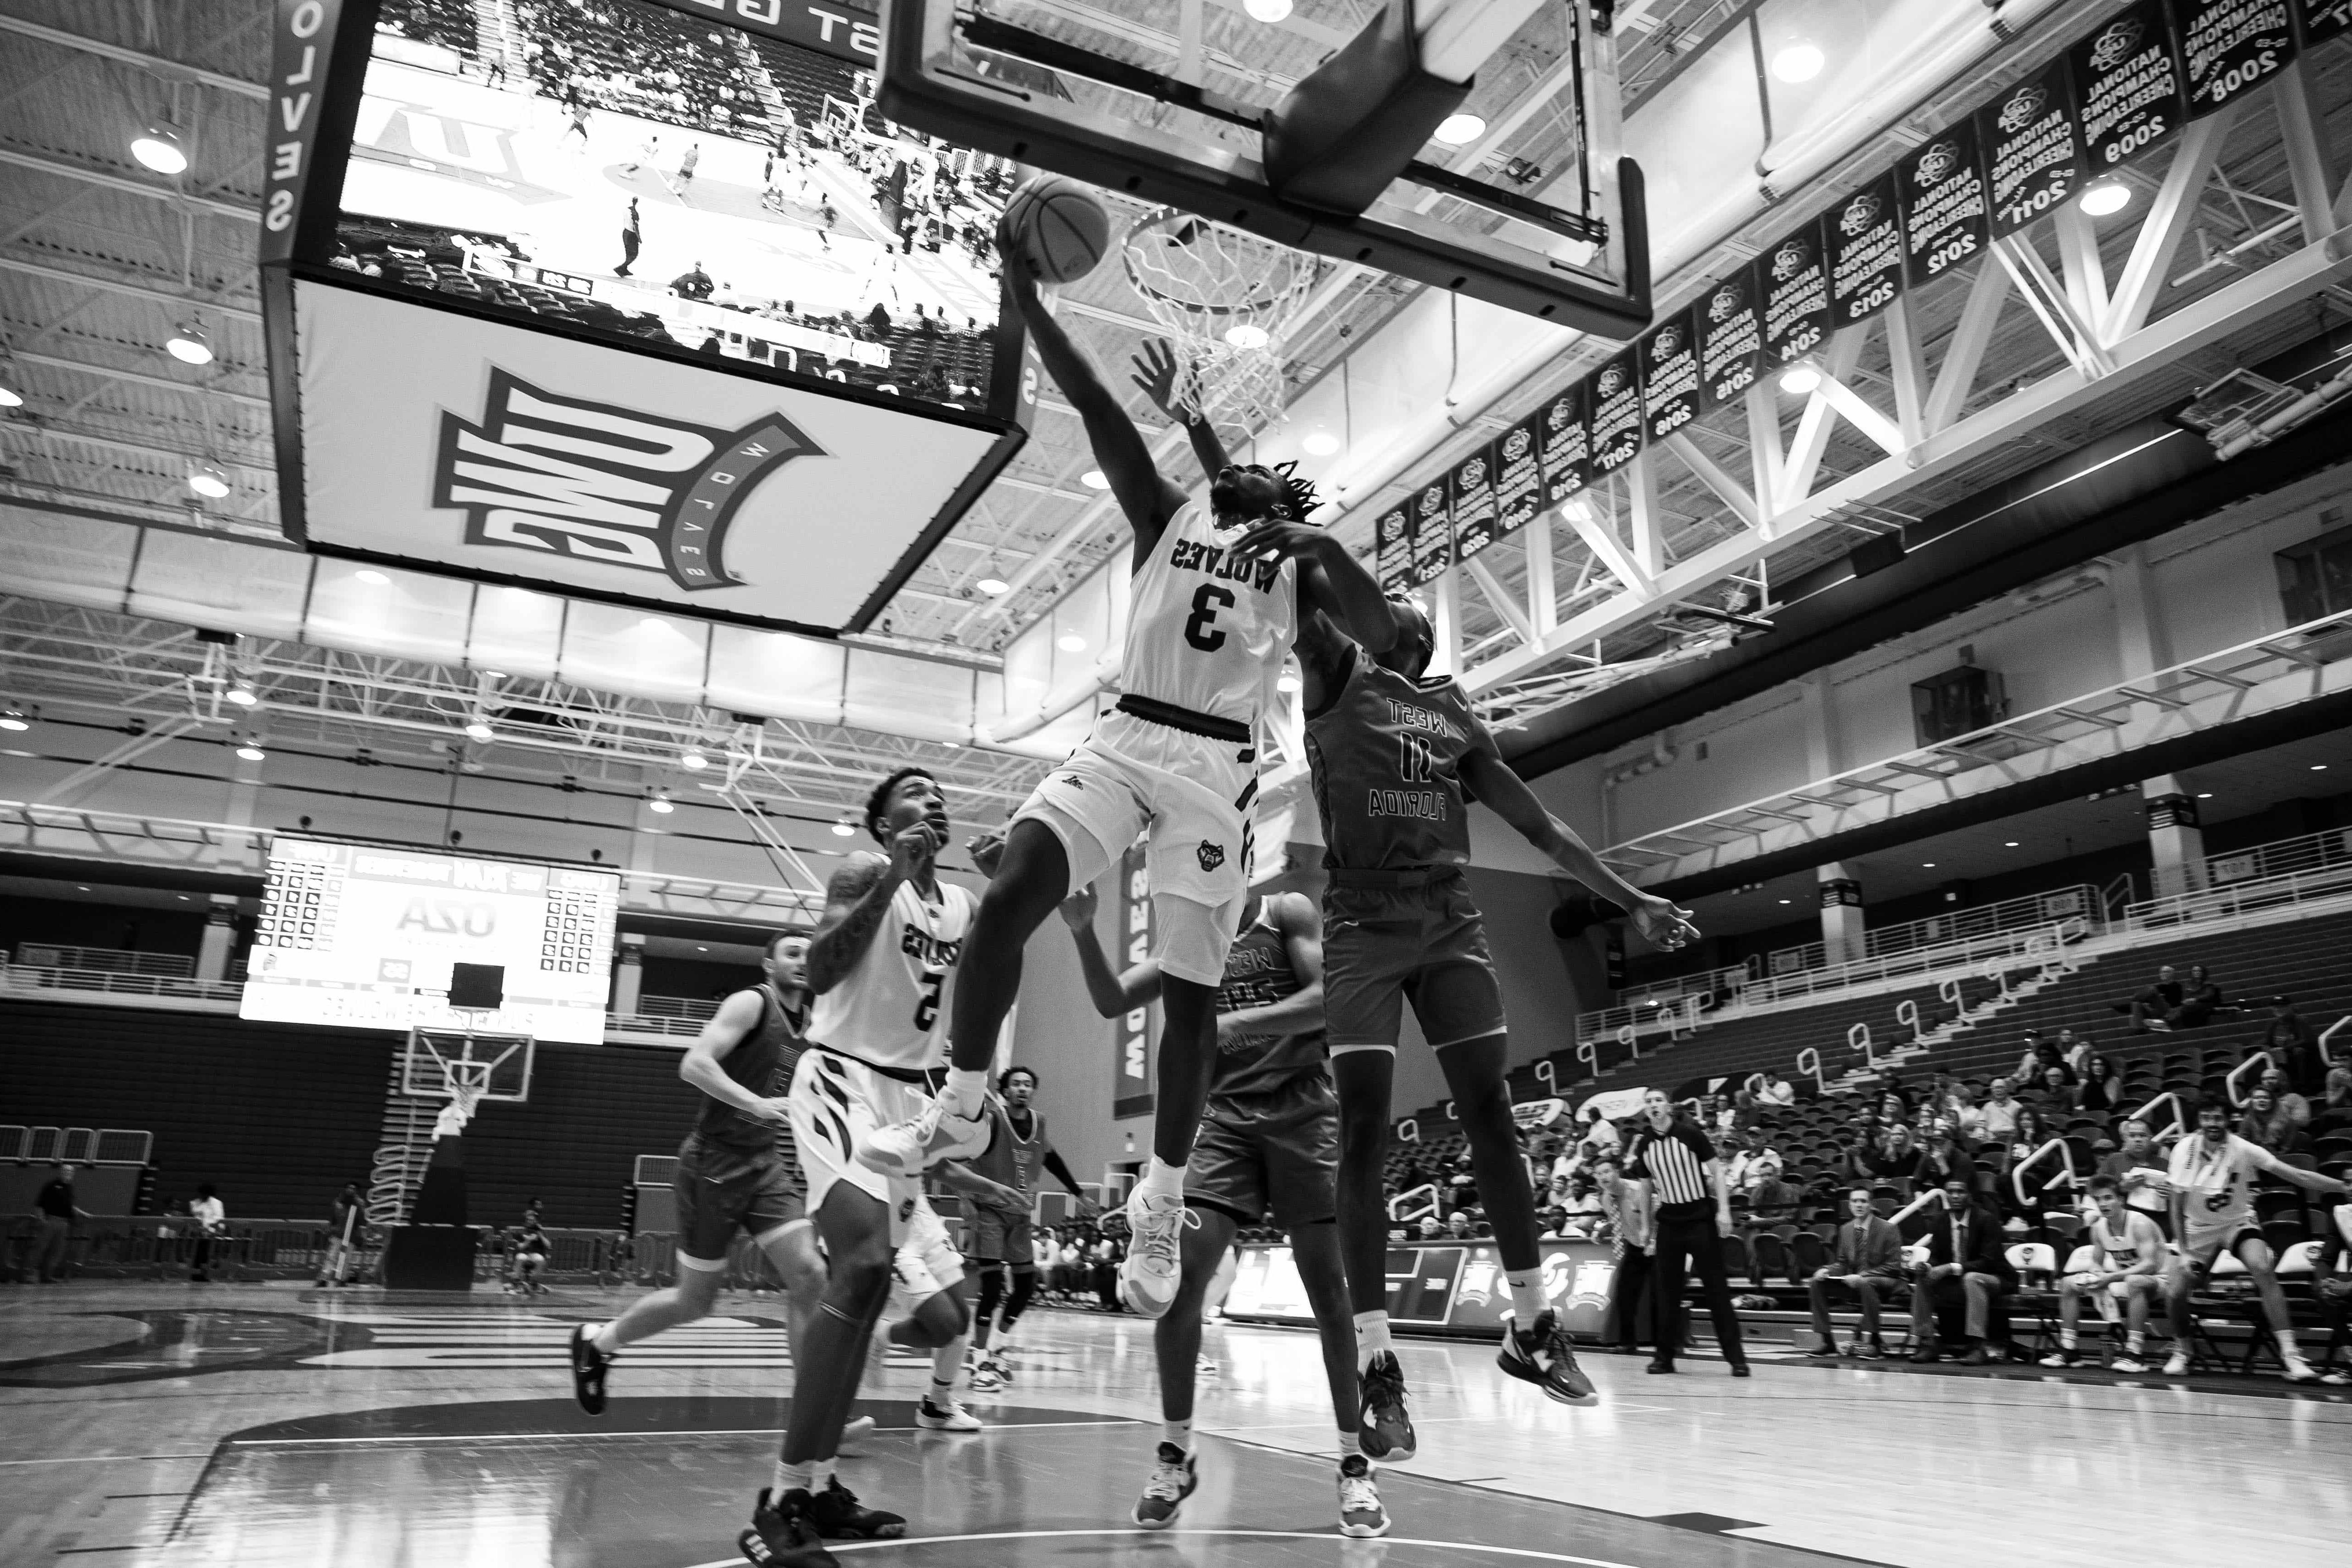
[1227, 302]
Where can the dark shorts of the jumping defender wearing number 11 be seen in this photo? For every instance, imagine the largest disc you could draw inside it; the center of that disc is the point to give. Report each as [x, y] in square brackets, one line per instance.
[1387, 946]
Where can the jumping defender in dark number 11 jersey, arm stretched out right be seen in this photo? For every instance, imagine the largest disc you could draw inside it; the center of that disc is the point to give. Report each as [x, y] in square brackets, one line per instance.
[1396, 758]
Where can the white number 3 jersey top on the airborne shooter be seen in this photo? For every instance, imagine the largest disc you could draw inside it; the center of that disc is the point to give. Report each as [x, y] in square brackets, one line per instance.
[1205, 629]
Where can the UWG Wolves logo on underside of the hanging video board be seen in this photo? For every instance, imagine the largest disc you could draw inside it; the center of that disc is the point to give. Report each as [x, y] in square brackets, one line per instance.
[606, 483]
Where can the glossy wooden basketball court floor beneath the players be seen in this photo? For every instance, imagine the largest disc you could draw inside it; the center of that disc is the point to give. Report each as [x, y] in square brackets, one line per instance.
[173, 1426]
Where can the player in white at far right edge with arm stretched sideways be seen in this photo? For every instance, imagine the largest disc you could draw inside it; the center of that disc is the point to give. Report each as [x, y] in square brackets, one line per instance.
[2212, 1179]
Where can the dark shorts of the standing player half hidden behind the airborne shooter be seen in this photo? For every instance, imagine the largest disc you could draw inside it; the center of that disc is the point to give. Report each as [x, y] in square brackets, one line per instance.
[1269, 1155]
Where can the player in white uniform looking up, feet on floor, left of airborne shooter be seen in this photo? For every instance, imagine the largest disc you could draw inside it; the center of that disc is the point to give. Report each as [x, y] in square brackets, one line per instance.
[886, 949]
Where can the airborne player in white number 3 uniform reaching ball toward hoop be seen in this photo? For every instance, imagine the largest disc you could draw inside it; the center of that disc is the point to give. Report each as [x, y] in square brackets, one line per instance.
[1205, 643]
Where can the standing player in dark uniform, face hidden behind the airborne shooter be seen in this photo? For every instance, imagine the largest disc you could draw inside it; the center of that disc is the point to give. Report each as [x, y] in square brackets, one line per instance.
[1269, 1144]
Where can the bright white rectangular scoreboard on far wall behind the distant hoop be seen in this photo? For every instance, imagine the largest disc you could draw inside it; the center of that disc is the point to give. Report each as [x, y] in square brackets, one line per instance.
[363, 937]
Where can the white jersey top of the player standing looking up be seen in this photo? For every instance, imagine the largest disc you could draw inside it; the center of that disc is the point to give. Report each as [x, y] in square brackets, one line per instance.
[893, 1010]
